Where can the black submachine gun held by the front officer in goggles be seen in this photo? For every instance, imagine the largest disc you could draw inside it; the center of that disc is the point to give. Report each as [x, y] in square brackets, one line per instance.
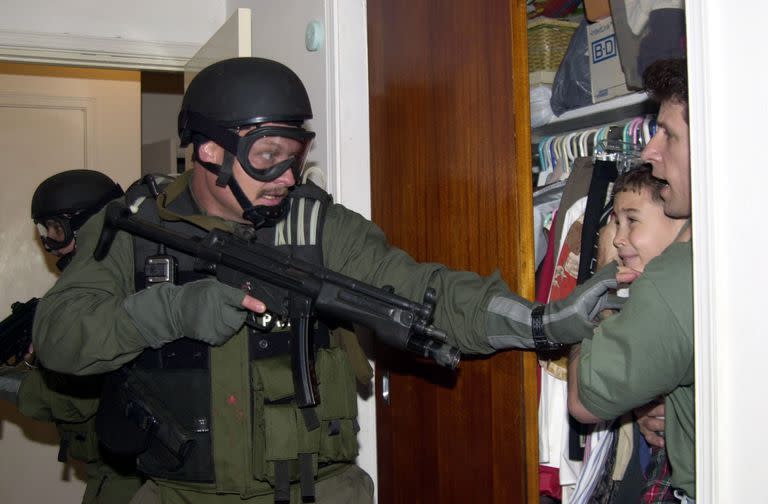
[308, 289]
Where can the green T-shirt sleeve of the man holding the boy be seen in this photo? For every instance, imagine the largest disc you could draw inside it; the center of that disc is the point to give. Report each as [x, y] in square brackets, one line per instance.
[646, 350]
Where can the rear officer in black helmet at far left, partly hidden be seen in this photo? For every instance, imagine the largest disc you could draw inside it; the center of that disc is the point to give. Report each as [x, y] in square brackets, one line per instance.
[60, 206]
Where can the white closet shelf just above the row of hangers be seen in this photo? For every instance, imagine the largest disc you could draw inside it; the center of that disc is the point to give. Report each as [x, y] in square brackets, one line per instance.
[598, 114]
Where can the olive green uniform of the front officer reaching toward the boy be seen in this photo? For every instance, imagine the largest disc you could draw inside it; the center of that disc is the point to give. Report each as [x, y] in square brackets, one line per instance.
[94, 334]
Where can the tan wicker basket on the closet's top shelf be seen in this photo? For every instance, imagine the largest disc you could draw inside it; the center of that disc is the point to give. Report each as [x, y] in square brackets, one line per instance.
[548, 41]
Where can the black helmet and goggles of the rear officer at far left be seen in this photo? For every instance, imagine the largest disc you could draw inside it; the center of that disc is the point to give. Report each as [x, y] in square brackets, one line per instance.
[63, 202]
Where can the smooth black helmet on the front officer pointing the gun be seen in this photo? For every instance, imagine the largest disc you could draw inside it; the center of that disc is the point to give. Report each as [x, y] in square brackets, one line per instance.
[242, 91]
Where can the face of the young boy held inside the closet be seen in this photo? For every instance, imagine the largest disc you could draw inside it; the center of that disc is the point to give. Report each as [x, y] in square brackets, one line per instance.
[643, 231]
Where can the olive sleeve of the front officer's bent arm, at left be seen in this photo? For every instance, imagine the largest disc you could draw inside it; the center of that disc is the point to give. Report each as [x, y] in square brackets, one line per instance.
[80, 325]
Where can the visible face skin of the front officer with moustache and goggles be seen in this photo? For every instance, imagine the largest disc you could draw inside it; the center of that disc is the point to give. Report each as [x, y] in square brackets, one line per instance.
[221, 202]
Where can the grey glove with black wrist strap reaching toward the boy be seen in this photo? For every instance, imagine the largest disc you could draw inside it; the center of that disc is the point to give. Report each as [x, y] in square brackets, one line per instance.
[511, 321]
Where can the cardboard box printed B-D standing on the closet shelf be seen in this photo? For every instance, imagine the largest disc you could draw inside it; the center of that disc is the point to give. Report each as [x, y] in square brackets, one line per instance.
[604, 65]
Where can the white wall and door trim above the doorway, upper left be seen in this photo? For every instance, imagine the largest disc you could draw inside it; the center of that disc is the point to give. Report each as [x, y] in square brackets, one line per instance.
[139, 34]
